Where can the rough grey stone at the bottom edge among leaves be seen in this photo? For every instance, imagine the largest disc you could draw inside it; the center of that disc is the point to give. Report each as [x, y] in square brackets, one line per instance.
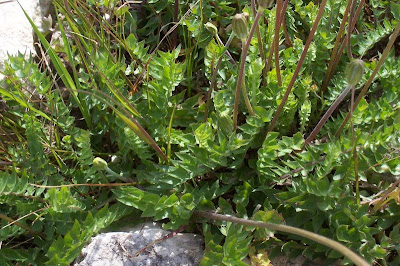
[119, 248]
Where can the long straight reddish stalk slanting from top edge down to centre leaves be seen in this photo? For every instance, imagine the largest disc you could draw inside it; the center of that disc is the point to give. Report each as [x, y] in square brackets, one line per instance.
[297, 70]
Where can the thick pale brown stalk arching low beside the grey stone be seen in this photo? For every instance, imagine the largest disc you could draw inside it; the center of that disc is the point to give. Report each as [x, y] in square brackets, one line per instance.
[351, 255]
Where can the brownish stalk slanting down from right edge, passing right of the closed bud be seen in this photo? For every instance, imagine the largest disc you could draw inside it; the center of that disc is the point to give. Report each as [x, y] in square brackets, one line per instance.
[371, 78]
